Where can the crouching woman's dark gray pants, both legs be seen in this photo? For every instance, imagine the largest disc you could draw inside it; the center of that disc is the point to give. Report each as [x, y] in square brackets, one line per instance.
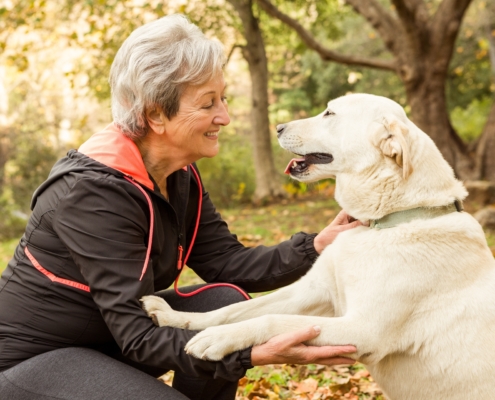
[77, 373]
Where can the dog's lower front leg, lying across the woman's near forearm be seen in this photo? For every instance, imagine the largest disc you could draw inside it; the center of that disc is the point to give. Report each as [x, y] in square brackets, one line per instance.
[216, 342]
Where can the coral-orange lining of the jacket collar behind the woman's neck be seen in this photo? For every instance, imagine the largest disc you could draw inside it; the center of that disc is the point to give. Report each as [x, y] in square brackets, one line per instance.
[112, 148]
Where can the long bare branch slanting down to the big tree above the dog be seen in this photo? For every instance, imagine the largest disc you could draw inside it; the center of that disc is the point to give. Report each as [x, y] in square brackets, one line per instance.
[324, 52]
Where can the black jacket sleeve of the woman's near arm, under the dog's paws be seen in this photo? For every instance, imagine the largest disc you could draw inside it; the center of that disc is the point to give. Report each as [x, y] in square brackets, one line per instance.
[105, 229]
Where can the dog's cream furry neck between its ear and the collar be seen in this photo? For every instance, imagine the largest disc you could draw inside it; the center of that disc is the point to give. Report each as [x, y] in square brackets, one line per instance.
[380, 190]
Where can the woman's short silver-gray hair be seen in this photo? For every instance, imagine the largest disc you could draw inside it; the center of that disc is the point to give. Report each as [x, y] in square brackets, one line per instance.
[153, 67]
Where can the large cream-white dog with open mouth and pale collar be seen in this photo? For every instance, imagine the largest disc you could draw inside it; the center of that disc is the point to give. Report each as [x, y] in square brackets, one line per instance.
[414, 291]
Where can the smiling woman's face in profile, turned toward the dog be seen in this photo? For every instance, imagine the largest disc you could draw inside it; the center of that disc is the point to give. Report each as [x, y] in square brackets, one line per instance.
[202, 111]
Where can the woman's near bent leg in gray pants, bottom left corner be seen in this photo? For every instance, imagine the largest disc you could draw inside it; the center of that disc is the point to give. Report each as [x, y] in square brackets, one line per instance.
[79, 373]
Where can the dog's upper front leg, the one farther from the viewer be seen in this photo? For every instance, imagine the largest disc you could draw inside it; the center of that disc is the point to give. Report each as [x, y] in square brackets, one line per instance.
[293, 299]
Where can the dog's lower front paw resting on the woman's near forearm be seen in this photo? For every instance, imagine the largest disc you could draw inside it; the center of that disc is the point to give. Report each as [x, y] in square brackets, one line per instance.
[215, 343]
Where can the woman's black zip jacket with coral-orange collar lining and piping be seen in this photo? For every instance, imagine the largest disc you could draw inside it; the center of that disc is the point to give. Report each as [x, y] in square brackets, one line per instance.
[90, 225]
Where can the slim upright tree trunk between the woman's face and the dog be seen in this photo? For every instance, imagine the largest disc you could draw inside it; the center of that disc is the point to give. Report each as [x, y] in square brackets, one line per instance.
[268, 183]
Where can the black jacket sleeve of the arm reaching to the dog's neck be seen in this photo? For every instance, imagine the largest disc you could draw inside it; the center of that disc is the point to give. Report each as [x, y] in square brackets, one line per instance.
[217, 256]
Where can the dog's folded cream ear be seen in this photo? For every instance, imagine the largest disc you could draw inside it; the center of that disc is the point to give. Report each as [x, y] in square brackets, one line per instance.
[392, 140]
